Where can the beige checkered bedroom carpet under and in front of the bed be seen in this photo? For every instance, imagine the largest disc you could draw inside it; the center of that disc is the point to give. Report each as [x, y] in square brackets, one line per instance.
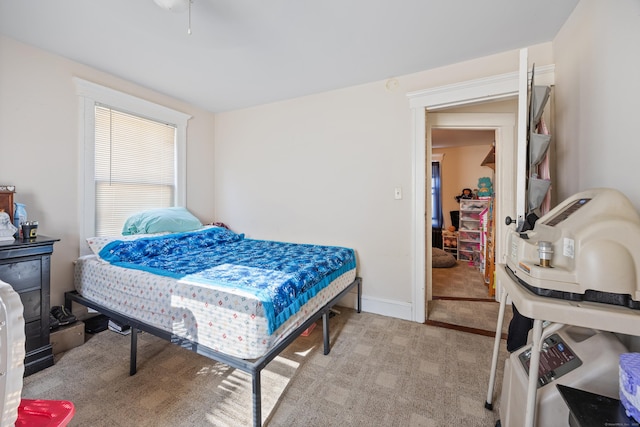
[381, 372]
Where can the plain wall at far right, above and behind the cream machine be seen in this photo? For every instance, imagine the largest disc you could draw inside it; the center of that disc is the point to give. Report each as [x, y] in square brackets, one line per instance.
[598, 98]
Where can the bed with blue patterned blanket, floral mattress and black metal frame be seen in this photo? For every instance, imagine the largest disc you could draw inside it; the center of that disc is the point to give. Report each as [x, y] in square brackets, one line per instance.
[238, 301]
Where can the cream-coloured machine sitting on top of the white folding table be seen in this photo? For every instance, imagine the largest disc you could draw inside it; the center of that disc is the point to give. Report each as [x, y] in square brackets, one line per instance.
[586, 249]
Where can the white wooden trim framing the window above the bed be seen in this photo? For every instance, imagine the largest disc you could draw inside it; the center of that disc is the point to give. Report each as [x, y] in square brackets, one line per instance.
[91, 93]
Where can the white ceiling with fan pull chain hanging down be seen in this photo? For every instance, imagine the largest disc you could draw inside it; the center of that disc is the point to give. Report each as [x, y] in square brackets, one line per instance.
[243, 53]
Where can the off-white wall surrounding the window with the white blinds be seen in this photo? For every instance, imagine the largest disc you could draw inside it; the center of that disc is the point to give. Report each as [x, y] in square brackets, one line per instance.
[40, 146]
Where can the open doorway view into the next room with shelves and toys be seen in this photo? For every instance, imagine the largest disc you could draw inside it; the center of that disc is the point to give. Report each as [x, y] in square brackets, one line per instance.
[462, 293]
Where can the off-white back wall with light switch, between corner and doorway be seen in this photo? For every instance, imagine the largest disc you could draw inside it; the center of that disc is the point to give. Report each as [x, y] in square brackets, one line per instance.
[323, 169]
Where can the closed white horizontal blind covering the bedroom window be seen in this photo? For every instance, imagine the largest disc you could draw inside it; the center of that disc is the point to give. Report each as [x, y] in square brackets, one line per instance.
[135, 167]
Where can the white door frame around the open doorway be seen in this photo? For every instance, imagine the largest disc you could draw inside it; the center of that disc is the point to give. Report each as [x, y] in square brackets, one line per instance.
[431, 100]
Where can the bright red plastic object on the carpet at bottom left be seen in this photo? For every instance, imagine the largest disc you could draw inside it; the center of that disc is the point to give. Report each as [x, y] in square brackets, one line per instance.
[44, 413]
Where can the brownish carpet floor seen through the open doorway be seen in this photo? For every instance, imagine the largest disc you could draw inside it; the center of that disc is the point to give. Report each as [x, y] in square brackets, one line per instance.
[460, 297]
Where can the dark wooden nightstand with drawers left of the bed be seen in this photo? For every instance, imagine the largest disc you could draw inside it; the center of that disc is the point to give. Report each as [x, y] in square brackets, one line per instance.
[25, 264]
